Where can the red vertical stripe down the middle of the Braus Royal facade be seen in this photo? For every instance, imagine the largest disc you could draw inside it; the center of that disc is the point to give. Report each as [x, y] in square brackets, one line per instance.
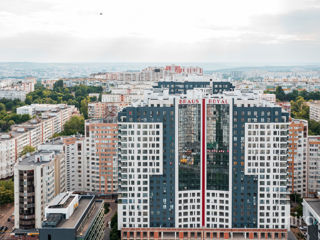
[203, 171]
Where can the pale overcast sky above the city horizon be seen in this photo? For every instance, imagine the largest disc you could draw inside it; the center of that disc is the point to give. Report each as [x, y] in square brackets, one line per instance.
[248, 31]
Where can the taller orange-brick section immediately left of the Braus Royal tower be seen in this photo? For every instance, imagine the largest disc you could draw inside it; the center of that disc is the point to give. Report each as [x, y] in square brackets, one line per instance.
[101, 138]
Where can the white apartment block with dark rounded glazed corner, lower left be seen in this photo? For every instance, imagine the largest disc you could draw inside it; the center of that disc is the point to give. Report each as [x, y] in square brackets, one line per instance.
[38, 178]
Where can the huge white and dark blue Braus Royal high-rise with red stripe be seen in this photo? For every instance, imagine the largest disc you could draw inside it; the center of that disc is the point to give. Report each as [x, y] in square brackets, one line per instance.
[203, 161]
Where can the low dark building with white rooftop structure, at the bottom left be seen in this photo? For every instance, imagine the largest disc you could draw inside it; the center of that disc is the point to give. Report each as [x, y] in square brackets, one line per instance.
[72, 216]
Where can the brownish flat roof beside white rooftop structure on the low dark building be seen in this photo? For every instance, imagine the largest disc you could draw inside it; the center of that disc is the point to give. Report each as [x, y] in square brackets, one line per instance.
[77, 214]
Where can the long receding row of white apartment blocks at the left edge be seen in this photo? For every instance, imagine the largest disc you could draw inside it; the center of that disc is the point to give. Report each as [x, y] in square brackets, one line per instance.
[50, 120]
